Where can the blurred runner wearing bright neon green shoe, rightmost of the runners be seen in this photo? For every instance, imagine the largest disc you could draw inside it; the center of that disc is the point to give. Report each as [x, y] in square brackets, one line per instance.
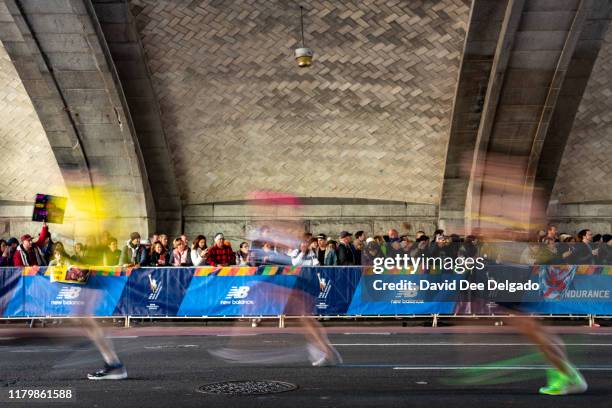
[505, 207]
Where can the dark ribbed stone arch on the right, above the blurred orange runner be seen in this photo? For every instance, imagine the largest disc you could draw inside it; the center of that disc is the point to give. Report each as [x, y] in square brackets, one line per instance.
[540, 56]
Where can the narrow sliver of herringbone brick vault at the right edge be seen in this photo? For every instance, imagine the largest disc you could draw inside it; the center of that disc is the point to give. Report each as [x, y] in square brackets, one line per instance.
[586, 167]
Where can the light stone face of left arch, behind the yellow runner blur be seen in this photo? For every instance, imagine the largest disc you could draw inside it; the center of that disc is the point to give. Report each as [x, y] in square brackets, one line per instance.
[56, 51]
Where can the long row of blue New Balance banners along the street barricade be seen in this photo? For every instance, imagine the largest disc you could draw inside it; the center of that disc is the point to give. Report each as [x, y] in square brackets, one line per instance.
[273, 290]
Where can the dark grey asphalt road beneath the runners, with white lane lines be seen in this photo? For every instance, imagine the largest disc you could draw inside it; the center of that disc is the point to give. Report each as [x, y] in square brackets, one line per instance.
[380, 369]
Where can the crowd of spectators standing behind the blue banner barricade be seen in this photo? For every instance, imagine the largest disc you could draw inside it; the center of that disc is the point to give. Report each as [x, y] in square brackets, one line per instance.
[550, 247]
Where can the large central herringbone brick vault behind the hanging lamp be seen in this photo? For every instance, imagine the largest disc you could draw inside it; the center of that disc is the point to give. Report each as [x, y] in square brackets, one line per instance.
[369, 119]
